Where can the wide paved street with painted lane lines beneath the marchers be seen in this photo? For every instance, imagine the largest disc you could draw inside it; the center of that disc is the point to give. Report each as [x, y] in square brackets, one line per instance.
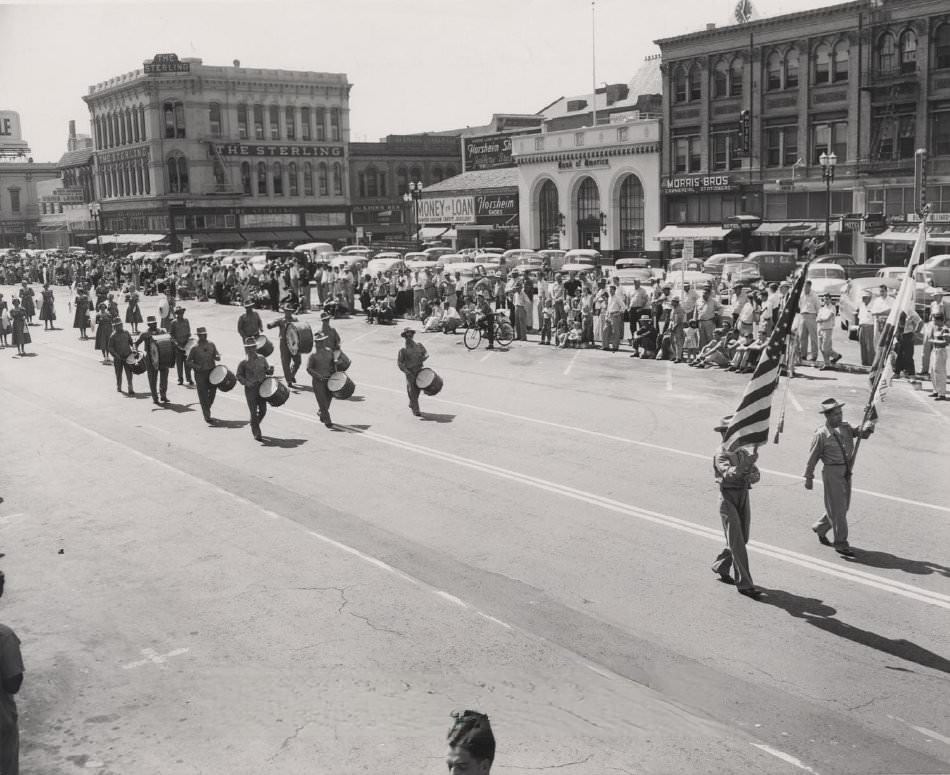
[537, 545]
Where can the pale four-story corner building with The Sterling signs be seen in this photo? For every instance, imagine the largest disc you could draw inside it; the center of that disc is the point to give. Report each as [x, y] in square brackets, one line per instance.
[220, 156]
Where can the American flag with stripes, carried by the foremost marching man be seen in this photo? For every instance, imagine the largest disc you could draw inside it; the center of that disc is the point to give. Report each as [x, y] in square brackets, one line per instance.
[750, 423]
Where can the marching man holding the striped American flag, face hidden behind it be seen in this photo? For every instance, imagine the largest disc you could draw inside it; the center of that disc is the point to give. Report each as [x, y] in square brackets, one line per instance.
[735, 472]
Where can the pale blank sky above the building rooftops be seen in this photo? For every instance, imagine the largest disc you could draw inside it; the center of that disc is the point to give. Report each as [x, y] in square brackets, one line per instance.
[415, 65]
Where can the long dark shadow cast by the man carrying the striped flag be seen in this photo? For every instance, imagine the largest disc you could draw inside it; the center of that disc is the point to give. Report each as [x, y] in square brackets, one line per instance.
[821, 615]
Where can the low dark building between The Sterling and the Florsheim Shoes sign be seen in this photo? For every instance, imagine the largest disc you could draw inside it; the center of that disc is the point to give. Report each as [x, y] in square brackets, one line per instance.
[380, 174]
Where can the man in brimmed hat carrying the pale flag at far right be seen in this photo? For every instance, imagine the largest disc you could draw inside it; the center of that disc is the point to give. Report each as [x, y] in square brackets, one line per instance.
[833, 444]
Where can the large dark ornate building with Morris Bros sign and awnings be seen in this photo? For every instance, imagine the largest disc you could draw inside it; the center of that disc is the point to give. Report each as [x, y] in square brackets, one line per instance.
[868, 81]
